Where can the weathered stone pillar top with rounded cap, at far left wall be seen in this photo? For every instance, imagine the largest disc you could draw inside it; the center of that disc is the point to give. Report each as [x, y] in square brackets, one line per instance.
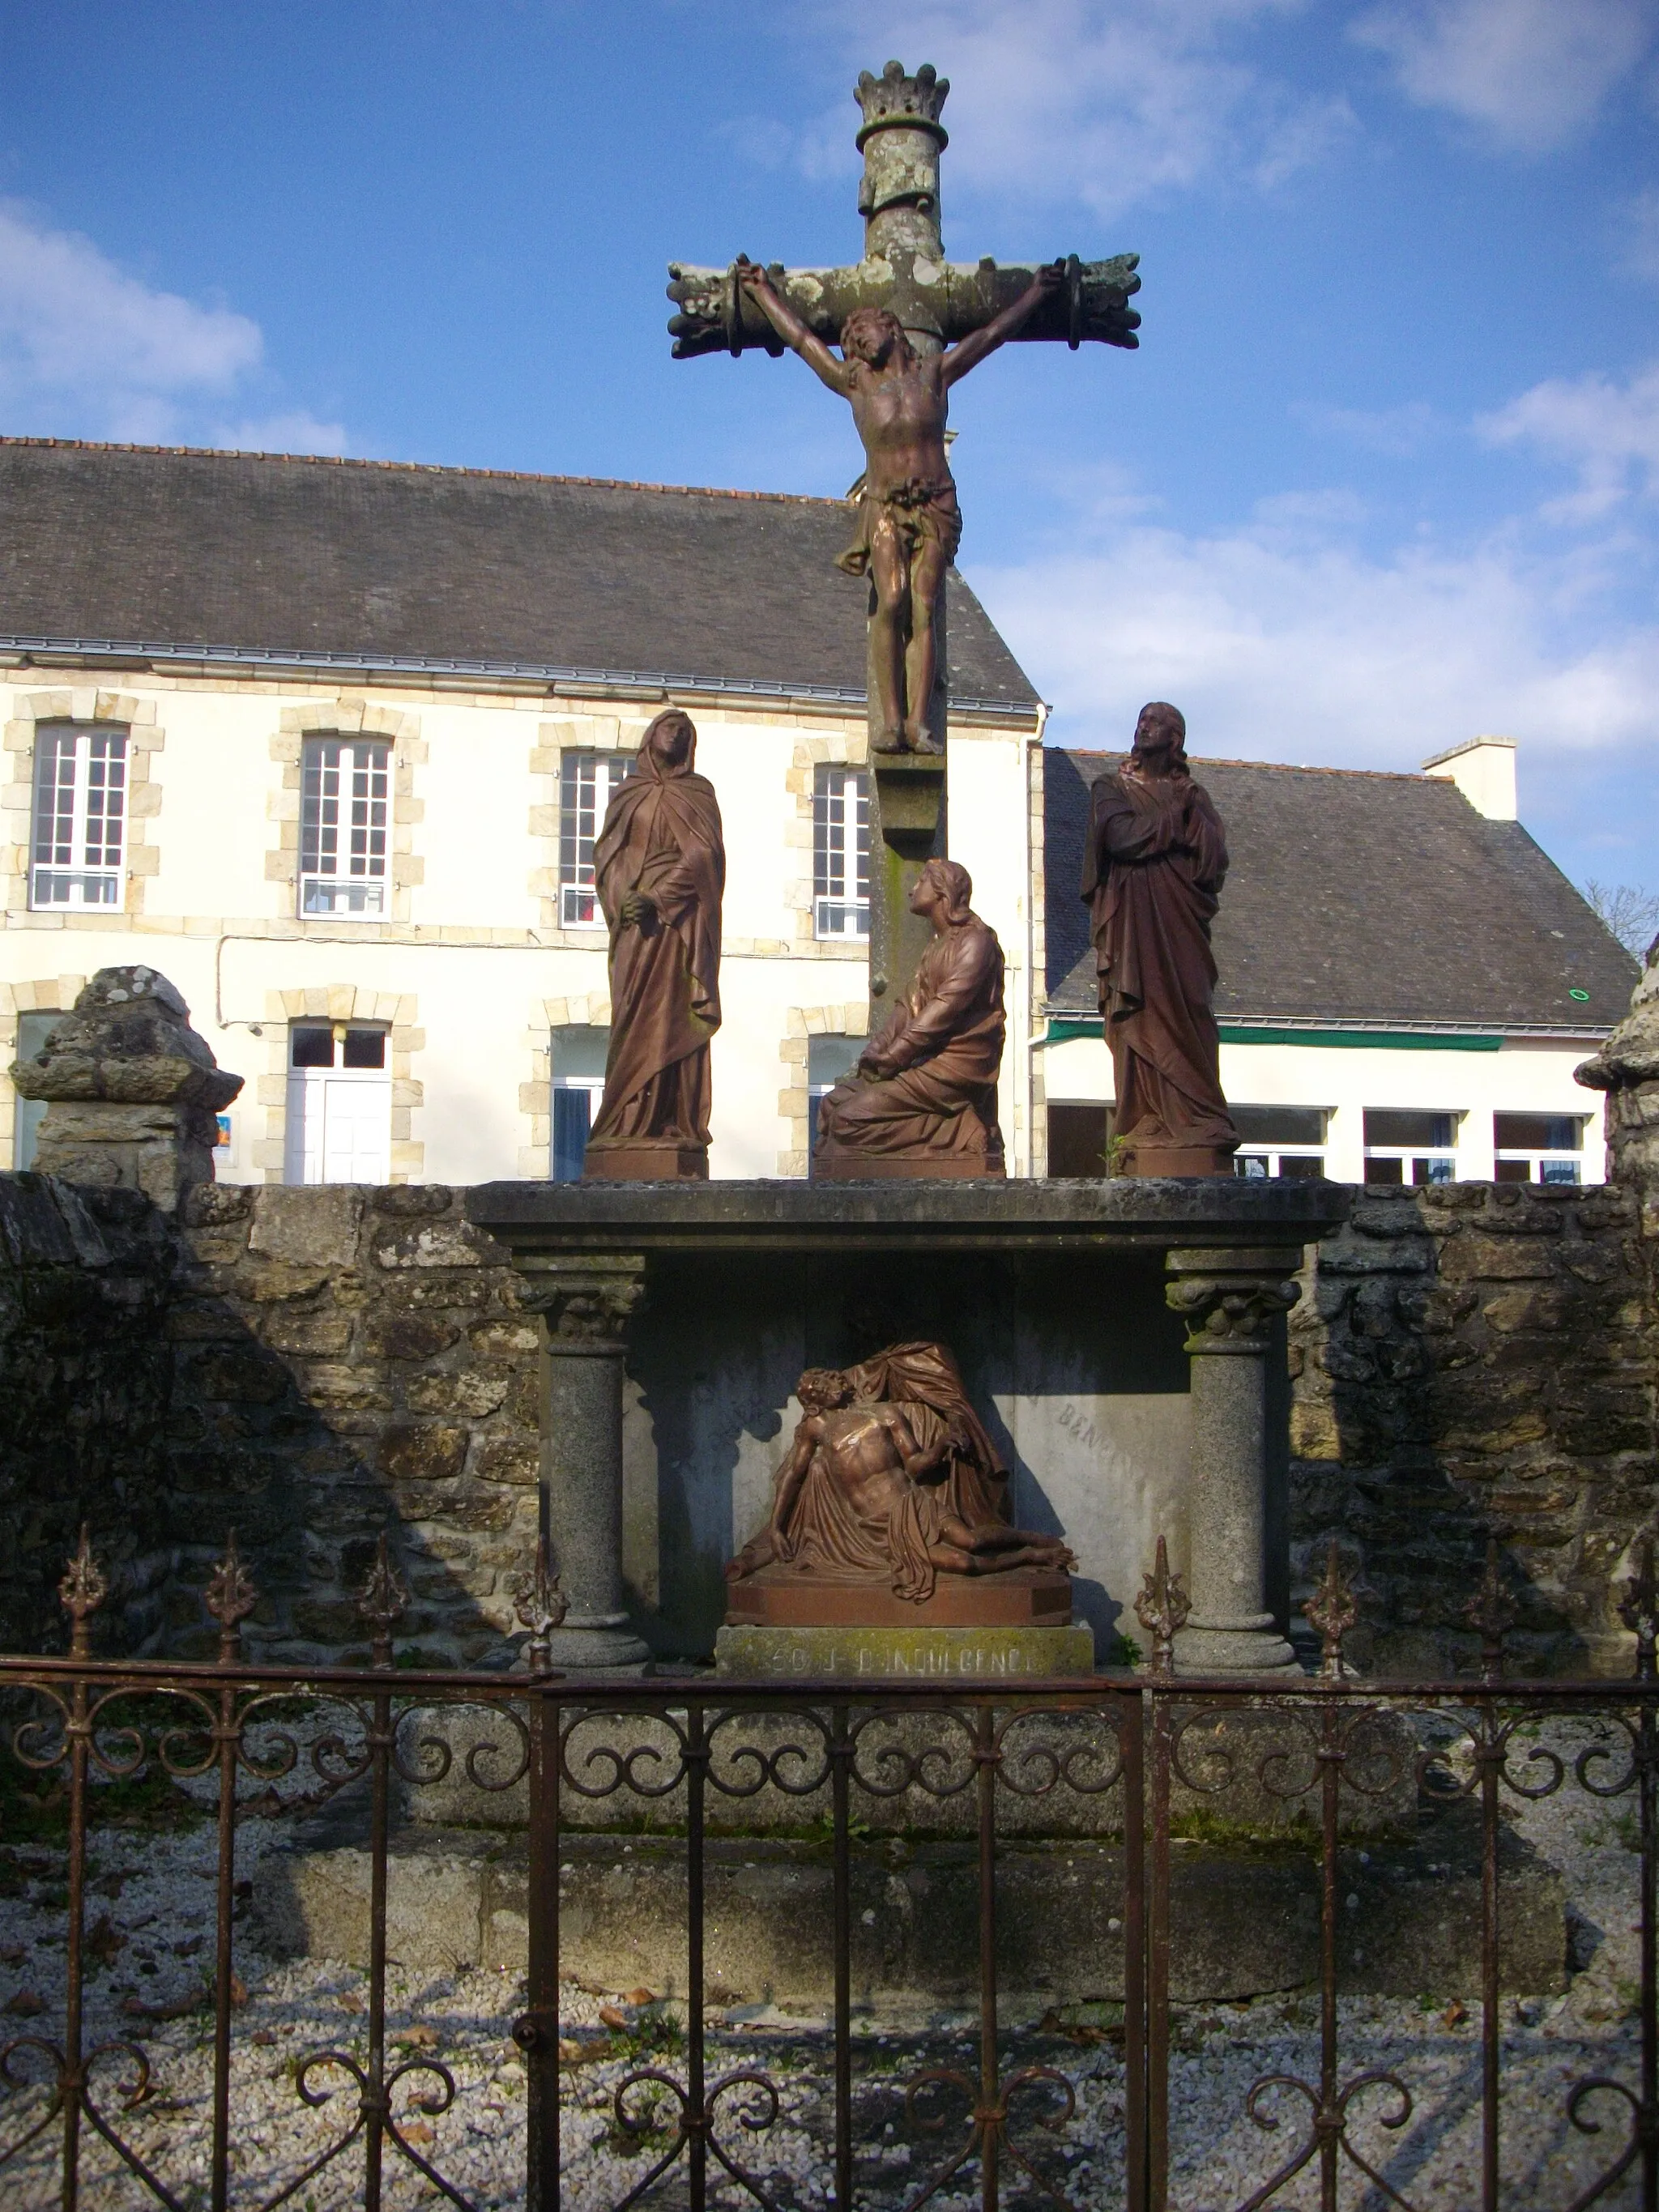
[132, 1092]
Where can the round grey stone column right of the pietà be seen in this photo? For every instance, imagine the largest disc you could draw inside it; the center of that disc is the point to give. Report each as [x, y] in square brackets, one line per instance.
[1231, 1302]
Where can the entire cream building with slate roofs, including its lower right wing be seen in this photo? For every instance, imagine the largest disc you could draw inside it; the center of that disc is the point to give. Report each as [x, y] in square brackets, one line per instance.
[328, 742]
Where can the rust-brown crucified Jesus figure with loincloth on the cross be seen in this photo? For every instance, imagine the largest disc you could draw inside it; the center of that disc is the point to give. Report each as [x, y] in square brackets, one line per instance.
[908, 517]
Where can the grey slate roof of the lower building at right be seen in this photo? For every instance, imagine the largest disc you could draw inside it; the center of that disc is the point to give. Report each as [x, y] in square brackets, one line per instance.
[1359, 899]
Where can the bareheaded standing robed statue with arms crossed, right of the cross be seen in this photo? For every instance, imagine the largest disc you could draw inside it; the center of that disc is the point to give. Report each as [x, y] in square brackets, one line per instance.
[1154, 873]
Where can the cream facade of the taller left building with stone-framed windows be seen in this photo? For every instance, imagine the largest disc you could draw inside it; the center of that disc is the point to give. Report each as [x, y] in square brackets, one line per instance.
[379, 908]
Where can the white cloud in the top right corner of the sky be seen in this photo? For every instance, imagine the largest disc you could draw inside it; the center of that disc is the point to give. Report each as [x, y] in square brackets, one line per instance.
[1532, 74]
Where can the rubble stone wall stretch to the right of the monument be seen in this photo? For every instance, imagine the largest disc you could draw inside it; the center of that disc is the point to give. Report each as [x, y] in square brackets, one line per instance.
[1477, 1361]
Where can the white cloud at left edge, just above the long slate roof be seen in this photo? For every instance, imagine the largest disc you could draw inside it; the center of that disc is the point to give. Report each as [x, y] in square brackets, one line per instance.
[92, 353]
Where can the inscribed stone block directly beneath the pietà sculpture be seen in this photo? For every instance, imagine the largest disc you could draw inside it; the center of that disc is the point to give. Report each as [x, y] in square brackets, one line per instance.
[901, 1653]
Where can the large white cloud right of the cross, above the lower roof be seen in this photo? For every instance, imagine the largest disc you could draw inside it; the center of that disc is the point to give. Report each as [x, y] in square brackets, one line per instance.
[1286, 647]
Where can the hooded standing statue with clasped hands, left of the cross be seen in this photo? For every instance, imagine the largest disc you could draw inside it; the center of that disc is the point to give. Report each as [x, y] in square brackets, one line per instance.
[660, 868]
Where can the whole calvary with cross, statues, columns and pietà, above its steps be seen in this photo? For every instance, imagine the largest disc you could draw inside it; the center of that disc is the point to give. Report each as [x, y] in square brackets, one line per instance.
[895, 1408]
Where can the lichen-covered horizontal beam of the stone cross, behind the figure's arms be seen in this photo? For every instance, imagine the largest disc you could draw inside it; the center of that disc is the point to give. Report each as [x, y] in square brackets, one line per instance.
[718, 317]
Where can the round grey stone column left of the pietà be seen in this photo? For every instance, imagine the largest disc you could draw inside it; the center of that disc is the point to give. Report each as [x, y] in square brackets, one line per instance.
[585, 1304]
